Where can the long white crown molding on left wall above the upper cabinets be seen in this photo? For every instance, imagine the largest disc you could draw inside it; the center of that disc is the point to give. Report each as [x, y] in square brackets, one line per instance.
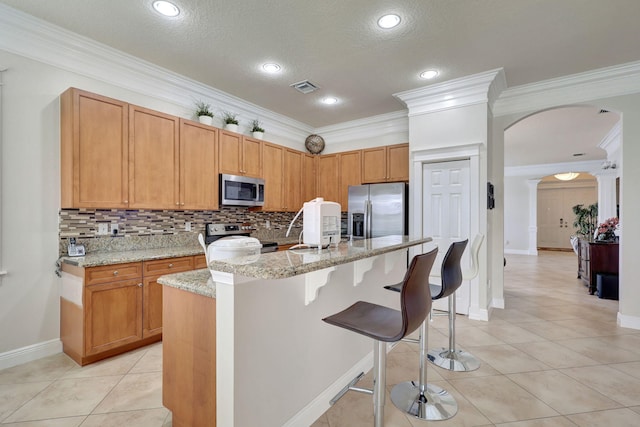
[39, 40]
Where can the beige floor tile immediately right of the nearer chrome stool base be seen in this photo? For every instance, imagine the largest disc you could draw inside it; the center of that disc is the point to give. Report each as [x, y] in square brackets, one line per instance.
[501, 400]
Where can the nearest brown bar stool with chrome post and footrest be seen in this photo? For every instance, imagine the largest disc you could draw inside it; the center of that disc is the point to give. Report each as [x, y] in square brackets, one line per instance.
[384, 324]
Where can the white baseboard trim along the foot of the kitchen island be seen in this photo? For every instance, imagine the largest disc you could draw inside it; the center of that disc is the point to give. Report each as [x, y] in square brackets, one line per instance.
[318, 406]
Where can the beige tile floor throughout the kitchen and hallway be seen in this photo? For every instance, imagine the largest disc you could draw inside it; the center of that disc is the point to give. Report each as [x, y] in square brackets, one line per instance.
[553, 357]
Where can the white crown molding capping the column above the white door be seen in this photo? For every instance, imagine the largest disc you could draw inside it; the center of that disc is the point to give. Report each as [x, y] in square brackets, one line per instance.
[470, 90]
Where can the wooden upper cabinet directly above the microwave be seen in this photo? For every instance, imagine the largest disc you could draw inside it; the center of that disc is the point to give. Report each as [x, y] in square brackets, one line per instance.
[239, 155]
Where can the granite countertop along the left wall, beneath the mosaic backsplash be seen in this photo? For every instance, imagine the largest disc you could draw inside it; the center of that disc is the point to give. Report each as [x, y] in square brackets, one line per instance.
[95, 259]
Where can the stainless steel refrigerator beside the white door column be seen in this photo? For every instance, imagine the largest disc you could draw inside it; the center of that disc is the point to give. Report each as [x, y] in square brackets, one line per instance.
[376, 210]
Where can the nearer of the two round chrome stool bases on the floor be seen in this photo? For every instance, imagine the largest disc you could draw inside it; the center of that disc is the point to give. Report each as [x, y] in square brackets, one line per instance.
[434, 404]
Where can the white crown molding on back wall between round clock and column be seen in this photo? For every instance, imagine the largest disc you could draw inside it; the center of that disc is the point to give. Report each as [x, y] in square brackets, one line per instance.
[370, 127]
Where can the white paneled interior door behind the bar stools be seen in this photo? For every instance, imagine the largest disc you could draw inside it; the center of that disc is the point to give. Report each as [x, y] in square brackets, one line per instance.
[446, 216]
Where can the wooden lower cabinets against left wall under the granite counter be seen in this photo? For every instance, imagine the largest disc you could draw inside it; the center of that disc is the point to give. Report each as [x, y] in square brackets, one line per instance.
[108, 310]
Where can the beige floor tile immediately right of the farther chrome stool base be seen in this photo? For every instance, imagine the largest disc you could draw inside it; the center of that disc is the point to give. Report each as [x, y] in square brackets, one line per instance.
[507, 359]
